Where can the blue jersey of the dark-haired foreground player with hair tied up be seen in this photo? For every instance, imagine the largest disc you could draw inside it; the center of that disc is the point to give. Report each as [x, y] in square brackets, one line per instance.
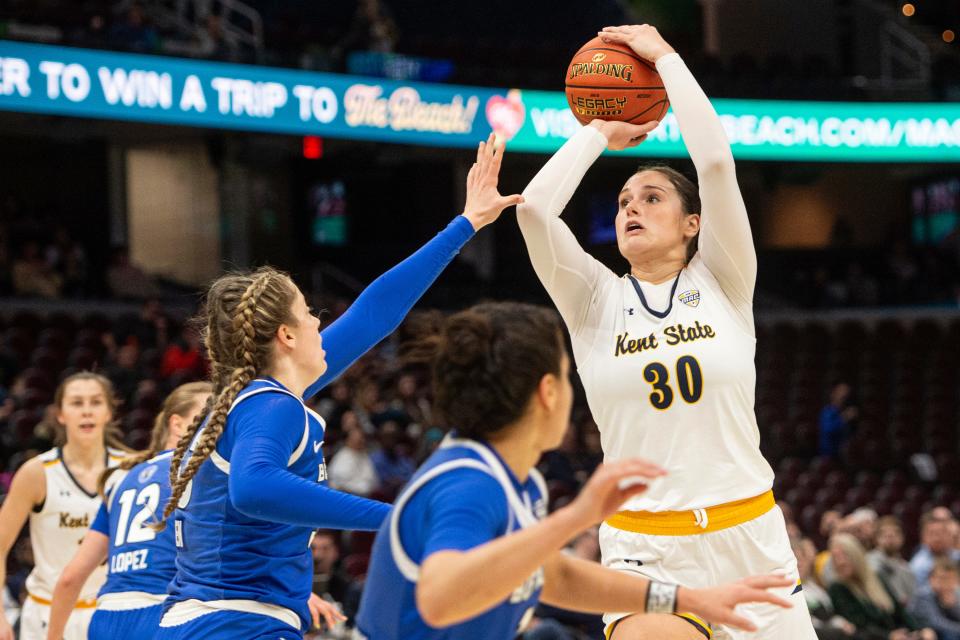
[463, 496]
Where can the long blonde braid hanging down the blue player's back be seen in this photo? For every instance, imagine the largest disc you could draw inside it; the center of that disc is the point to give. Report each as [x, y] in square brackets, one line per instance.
[244, 336]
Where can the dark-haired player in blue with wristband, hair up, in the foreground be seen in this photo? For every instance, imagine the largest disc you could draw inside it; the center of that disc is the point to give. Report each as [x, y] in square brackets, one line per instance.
[468, 550]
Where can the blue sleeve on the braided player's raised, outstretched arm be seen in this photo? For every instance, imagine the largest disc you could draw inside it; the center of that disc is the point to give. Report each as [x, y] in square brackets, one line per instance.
[378, 311]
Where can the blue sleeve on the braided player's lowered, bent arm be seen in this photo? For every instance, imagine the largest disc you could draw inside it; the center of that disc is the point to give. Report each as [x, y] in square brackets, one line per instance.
[261, 486]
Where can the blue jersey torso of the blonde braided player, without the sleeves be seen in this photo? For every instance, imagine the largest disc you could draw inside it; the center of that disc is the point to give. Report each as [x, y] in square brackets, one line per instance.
[231, 560]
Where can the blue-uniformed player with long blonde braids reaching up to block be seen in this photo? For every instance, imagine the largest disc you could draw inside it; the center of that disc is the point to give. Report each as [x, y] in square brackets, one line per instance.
[248, 476]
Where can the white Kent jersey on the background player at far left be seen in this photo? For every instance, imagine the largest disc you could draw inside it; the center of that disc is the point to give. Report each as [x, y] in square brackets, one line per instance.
[58, 528]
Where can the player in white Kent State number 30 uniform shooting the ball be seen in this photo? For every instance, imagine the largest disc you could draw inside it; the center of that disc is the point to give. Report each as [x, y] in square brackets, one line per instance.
[666, 355]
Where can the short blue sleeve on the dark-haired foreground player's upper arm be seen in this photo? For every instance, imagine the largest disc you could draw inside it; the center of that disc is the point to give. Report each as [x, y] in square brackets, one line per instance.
[459, 510]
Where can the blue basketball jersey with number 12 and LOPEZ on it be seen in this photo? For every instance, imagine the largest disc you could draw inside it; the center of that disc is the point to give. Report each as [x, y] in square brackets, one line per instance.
[140, 558]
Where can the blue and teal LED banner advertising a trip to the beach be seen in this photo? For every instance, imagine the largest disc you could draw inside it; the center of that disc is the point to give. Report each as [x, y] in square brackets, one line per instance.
[99, 84]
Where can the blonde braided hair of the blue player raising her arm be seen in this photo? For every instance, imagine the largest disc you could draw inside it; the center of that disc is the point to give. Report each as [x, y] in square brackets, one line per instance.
[241, 316]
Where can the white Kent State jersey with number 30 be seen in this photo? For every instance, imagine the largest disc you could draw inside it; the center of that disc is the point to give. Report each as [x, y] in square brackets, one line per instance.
[677, 390]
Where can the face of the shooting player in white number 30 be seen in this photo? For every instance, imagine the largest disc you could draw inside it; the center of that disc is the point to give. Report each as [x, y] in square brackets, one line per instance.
[650, 219]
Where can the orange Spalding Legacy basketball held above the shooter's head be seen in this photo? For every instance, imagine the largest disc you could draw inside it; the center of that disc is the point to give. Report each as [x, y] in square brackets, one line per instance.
[610, 82]
